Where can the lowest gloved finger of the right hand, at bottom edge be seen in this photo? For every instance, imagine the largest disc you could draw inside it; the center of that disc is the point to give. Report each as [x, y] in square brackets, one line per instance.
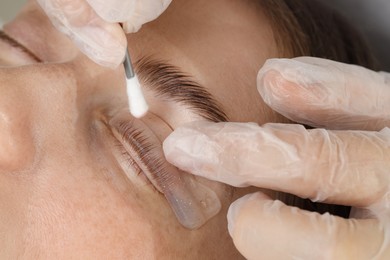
[262, 228]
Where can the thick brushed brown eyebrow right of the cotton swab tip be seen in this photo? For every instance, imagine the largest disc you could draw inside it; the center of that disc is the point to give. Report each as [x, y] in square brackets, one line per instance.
[169, 82]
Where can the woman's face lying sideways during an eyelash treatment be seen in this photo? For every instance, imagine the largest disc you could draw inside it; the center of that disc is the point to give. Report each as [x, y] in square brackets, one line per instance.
[67, 185]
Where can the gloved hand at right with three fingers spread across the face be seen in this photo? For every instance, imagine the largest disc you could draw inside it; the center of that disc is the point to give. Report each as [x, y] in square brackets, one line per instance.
[347, 167]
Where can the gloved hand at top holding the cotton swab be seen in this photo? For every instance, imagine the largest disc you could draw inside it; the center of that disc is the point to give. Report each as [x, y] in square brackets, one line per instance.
[93, 24]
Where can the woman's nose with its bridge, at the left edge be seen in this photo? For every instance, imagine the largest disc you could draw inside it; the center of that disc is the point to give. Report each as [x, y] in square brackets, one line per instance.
[43, 106]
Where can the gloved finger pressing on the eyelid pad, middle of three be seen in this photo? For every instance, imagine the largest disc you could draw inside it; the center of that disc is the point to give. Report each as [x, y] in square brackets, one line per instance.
[348, 168]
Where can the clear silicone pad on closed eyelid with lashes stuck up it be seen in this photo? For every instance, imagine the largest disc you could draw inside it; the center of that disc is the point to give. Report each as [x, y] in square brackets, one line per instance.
[192, 202]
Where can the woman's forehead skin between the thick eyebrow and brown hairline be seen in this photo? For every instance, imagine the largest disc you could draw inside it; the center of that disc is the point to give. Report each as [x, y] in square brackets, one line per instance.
[221, 43]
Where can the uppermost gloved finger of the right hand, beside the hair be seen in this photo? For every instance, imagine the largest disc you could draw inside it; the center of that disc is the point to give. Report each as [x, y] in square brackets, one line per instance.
[324, 93]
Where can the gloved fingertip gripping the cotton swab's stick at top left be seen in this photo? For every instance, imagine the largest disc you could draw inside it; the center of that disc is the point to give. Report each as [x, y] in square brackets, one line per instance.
[103, 42]
